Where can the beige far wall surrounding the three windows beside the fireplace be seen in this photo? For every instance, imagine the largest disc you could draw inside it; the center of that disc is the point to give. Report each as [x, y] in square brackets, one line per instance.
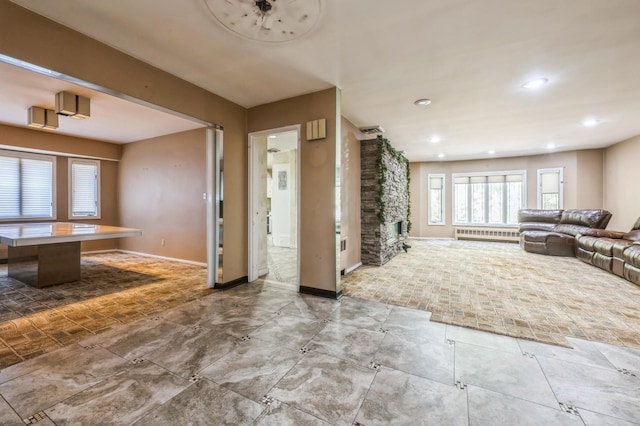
[419, 186]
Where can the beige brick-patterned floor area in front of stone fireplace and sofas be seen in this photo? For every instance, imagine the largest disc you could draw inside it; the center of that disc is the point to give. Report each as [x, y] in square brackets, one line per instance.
[500, 288]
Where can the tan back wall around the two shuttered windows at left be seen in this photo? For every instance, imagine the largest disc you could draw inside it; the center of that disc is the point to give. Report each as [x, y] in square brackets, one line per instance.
[65, 147]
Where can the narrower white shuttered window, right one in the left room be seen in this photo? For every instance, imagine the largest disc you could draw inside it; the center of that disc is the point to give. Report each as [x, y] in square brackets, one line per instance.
[84, 189]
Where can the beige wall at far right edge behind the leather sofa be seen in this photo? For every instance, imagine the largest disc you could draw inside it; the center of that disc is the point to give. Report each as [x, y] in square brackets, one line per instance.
[621, 193]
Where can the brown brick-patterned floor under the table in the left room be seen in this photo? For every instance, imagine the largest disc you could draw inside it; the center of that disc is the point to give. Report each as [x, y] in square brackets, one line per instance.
[116, 288]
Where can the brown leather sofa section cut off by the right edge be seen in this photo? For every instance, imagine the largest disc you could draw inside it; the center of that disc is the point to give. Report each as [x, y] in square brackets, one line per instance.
[614, 251]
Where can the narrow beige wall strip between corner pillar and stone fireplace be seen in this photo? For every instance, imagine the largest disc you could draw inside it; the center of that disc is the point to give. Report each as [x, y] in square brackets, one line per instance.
[350, 194]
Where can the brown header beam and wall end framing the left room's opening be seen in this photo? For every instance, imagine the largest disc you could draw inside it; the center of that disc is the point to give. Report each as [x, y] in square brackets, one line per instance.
[23, 35]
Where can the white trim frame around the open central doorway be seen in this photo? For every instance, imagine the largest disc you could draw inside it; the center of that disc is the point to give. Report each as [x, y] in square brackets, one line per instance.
[252, 246]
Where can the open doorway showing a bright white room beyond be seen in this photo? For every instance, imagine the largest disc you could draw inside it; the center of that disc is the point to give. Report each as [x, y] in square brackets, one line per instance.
[274, 194]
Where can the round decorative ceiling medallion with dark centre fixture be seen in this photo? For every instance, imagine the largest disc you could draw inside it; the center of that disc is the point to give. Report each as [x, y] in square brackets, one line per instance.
[273, 21]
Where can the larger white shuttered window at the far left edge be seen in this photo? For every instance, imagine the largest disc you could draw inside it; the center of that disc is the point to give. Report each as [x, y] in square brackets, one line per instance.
[27, 189]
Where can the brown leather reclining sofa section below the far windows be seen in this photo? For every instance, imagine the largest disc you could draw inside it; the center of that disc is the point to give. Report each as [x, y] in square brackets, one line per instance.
[553, 232]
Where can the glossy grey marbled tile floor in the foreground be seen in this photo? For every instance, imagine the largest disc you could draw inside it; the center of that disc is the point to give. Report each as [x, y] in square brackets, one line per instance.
[261, 355]
